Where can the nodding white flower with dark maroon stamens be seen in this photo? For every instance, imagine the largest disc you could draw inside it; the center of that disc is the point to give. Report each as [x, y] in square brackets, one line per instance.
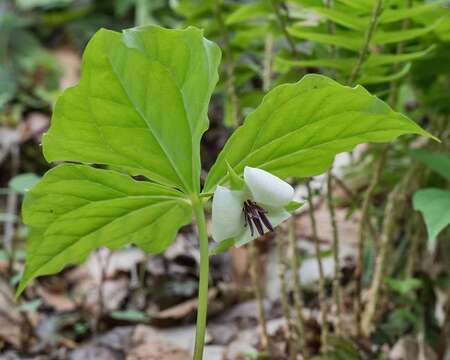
[252, 211]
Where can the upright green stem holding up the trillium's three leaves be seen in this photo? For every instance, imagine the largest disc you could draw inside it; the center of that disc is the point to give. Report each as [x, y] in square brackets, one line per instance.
[199, 215]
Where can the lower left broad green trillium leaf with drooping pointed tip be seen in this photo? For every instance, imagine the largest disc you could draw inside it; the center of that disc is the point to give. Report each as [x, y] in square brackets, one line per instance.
[76, 209]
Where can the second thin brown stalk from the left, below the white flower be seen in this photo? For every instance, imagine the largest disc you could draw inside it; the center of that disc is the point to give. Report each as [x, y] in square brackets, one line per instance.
[281, 271]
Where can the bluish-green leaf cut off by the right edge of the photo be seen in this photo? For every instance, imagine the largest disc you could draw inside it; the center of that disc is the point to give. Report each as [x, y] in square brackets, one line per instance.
[434, 204]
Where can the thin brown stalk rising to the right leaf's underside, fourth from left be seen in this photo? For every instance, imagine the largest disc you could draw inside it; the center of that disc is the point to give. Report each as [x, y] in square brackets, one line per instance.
[322, 297]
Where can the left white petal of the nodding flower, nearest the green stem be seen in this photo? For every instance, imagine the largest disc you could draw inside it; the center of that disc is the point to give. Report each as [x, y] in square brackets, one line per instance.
[227, 217]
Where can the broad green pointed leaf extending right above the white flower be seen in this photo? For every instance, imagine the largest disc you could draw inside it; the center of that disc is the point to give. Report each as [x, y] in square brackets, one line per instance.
[299, 128]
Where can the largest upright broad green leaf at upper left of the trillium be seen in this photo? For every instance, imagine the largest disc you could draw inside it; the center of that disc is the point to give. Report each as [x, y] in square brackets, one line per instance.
[141, 105]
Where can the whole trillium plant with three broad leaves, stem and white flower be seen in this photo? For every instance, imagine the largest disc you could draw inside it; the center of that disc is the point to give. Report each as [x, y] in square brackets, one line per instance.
[127, 140]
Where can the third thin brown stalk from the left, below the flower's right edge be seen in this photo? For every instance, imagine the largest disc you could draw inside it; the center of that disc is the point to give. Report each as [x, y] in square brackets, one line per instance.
[297, 289]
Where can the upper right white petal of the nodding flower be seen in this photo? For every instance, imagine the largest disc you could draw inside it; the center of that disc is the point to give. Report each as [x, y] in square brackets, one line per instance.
[267, 189]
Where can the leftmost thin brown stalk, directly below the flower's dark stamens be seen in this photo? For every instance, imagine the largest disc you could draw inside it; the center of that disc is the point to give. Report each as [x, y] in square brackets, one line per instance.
[254, 271]
